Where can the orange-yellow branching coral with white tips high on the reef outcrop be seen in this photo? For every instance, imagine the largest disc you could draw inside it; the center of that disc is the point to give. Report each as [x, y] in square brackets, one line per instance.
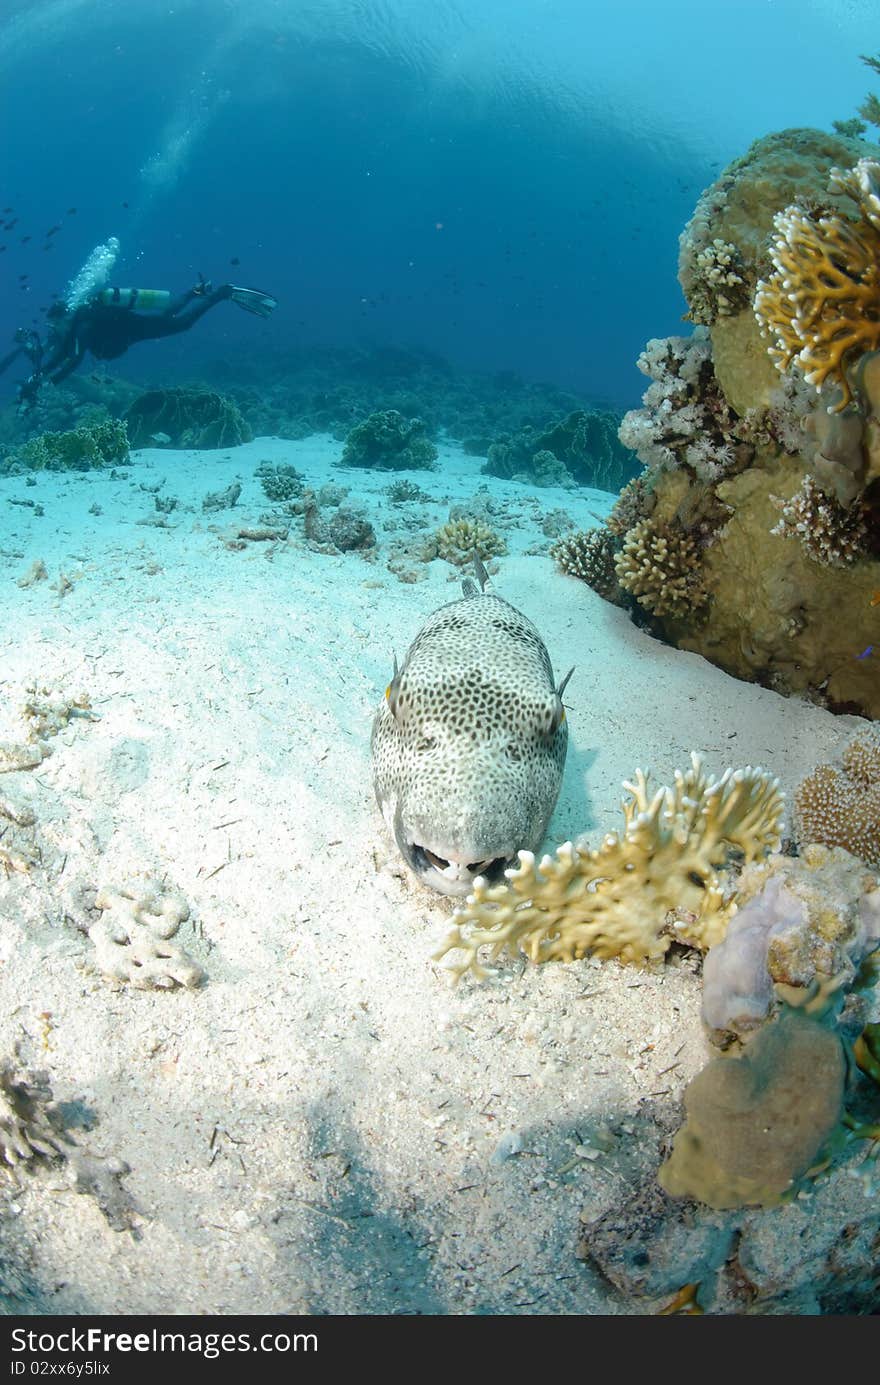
[821, 305]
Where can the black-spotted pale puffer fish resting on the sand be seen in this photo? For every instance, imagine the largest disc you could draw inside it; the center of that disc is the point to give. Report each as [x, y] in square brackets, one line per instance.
[469, 743]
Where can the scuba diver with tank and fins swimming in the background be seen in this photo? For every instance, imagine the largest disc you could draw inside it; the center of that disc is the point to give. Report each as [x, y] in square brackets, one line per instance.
[113, 319]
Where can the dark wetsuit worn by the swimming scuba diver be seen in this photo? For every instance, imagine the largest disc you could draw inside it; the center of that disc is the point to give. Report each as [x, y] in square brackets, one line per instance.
[109, 330]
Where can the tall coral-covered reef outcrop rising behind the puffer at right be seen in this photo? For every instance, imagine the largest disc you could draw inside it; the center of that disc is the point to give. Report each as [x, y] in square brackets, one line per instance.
[768, 503]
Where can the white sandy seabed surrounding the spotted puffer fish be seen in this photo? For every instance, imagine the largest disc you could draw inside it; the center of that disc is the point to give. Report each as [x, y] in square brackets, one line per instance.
[326, 1125]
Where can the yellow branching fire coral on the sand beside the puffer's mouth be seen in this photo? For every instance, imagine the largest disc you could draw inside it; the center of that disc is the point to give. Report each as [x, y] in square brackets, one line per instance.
[640, 891]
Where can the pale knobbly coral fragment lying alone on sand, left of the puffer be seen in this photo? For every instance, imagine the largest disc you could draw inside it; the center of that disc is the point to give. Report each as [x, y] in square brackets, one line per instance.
[132, 937]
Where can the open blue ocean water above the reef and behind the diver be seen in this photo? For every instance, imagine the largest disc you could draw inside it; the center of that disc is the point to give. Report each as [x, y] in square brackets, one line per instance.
[501, 184]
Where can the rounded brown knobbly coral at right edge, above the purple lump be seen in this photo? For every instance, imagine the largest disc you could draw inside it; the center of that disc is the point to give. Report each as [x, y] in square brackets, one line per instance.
[843, 808]
